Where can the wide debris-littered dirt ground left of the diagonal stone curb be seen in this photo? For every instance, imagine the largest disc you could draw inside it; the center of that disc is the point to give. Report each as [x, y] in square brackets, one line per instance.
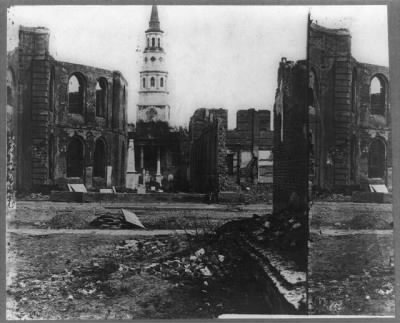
[100, 276]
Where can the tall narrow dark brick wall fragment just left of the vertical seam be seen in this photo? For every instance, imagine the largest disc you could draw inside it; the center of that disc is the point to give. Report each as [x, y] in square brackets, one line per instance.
[290, 152]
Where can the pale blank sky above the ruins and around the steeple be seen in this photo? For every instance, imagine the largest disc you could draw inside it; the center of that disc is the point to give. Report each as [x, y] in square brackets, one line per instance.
[216, 56]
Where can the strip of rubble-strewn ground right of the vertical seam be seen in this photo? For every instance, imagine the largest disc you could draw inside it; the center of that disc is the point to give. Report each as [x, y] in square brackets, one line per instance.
[351, 265]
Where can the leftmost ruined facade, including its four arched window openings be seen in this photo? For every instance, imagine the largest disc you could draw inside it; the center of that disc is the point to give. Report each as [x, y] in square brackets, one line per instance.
[69, 120]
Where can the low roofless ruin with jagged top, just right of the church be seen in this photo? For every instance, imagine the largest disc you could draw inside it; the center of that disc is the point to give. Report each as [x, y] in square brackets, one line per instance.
[224, 160]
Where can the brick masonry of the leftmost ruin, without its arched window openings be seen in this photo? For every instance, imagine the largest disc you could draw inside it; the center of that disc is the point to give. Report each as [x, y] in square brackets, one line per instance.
[46, 126]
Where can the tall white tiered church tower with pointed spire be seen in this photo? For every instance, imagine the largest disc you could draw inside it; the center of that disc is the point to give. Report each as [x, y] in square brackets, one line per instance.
[153, 93]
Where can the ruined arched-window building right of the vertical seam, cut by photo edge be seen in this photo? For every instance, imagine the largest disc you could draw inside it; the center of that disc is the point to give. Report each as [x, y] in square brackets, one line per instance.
[350, 115]
